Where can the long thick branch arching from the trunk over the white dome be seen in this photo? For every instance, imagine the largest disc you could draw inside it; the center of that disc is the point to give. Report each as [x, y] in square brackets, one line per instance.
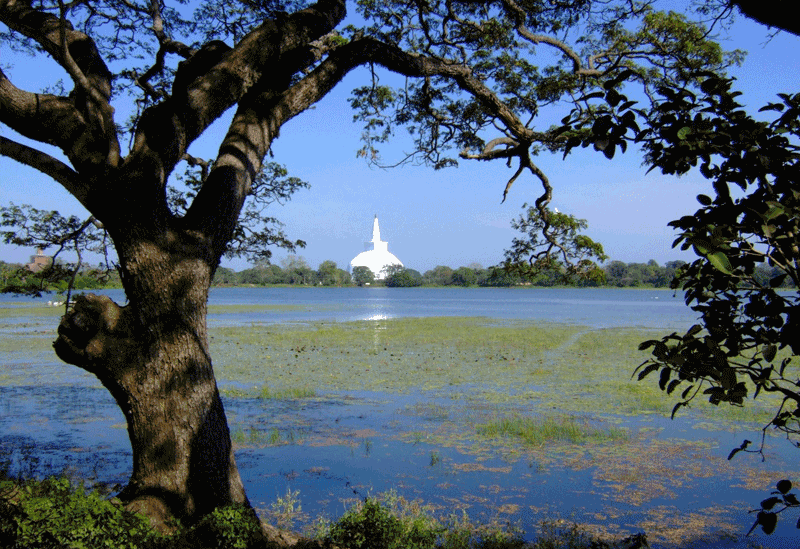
[258, 122]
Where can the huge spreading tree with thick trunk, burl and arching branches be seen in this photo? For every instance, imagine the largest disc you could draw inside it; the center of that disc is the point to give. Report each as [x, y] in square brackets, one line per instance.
[176, 71]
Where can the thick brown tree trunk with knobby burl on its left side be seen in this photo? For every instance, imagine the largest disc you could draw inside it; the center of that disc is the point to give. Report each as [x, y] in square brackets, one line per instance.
[152, 355]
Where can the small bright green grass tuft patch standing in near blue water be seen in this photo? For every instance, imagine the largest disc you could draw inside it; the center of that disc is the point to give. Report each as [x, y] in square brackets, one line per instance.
[538, 431]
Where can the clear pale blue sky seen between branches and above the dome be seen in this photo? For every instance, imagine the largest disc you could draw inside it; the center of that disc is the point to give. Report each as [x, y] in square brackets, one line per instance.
[450, 217]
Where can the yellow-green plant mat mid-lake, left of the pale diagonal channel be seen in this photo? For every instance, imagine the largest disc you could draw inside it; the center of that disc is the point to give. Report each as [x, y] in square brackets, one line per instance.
[397, 355]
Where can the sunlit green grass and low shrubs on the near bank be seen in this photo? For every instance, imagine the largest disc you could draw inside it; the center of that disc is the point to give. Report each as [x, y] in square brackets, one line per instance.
[58, 513]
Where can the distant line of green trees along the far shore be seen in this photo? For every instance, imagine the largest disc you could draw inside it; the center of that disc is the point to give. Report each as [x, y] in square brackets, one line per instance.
[295, 271]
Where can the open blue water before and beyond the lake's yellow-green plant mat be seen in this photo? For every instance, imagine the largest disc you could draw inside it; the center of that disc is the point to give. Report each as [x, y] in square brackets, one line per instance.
[342, 446]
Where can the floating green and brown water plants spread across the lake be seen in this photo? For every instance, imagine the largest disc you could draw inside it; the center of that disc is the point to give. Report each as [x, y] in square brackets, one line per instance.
[469, 399]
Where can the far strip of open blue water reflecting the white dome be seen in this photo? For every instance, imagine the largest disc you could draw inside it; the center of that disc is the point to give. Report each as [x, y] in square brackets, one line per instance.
[597, 308]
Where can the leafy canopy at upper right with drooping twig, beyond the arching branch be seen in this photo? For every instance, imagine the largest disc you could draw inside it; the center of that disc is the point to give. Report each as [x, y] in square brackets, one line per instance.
[501, 43]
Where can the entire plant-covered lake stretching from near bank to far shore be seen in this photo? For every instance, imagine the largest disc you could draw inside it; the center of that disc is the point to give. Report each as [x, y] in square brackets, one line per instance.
[390, 409]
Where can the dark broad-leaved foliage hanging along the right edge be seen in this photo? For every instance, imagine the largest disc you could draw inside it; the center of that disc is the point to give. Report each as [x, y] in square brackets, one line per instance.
[744, 321]
